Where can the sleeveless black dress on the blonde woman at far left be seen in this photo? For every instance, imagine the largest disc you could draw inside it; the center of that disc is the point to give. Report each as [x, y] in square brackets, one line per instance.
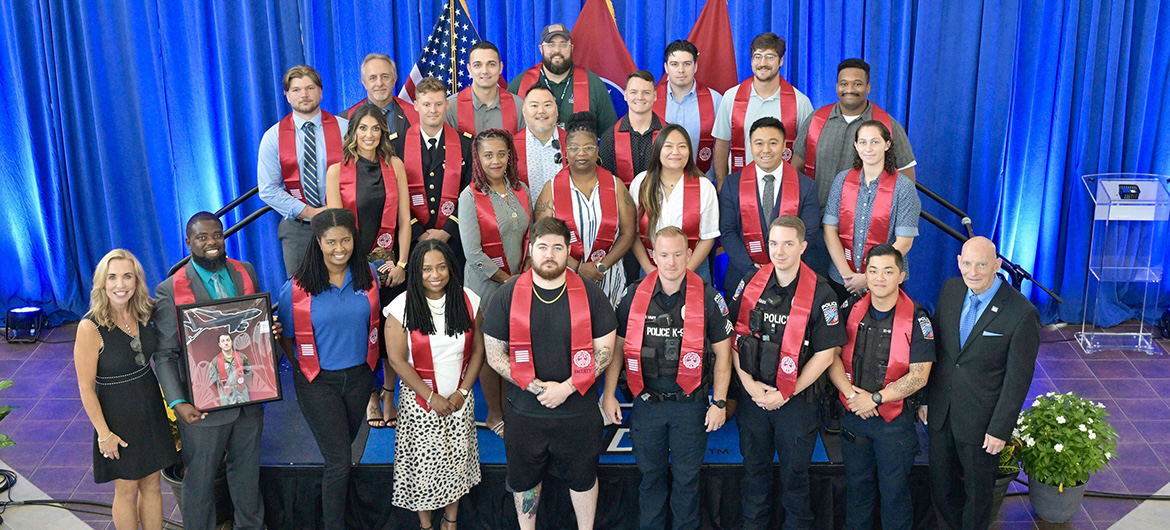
[133, 407]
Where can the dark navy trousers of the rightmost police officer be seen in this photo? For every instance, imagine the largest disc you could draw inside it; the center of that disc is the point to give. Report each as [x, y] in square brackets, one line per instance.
[879, 459]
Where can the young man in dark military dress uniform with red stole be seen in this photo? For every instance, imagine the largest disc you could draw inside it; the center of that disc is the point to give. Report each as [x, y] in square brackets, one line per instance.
[435, 187]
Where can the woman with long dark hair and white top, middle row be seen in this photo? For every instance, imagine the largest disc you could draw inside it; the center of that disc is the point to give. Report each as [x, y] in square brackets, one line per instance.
[673, 192]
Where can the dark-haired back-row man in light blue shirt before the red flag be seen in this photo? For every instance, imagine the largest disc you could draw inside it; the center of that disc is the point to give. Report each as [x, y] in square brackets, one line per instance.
[684, 101]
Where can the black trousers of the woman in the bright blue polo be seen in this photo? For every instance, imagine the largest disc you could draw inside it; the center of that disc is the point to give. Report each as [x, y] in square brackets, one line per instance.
[334, 405]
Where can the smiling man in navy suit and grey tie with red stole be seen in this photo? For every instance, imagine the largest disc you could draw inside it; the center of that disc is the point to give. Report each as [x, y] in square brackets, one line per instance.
[745, 238]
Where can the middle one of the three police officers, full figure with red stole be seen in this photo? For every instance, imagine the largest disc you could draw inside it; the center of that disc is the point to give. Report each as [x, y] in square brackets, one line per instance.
[788, 334]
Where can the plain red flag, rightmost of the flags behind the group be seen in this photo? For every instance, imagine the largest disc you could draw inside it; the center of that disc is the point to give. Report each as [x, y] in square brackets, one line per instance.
[712, 36]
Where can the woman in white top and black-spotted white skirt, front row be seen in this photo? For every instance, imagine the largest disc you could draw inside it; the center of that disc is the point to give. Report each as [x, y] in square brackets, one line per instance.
[435, 343]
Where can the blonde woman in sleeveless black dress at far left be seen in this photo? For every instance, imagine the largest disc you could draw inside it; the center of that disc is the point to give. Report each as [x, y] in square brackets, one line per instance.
[133, 440]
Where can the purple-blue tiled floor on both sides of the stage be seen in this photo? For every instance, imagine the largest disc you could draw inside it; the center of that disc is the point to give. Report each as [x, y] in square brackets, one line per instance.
[54, 450]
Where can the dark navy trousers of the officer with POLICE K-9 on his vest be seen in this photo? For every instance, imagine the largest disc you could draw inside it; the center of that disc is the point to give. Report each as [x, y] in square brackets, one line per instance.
[670, 436]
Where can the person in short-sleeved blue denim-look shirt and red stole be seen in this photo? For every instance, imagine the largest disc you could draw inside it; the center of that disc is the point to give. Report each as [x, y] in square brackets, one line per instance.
[869, 205]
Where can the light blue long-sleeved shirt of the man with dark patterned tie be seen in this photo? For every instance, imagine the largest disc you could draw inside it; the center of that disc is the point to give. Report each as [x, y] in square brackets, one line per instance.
[269, 166]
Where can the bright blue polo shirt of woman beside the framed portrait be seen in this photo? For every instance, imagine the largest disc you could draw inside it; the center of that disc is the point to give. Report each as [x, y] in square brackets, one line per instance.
[341, 323]
